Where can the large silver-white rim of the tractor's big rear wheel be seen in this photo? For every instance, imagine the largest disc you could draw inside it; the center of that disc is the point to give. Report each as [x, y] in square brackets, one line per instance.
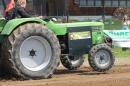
[35, 53]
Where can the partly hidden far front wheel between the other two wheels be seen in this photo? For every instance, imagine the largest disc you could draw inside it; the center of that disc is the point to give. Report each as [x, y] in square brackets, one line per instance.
[72, 62]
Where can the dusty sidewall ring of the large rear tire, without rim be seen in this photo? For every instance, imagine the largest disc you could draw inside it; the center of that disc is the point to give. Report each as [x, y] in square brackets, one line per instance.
[22, 69]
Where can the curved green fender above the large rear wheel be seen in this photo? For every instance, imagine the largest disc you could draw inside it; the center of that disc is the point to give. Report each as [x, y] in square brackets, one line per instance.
[12, 24]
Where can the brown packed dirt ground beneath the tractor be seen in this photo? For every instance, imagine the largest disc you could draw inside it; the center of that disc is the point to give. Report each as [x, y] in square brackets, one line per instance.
[118, 75]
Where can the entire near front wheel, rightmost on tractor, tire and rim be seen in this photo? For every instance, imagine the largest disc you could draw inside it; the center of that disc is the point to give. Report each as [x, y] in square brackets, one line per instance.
[101, 57]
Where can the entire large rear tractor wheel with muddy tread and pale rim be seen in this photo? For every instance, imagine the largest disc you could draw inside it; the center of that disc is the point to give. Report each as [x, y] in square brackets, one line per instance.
[32, 51]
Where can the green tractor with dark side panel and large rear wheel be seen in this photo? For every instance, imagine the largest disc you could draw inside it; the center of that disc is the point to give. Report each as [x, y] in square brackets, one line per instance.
[32, 48]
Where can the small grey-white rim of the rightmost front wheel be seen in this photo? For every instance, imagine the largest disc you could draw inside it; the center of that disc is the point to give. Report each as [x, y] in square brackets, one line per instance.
[102, 58]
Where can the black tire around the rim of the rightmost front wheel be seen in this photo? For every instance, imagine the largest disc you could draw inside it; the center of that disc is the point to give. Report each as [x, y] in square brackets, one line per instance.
[92, 57]
